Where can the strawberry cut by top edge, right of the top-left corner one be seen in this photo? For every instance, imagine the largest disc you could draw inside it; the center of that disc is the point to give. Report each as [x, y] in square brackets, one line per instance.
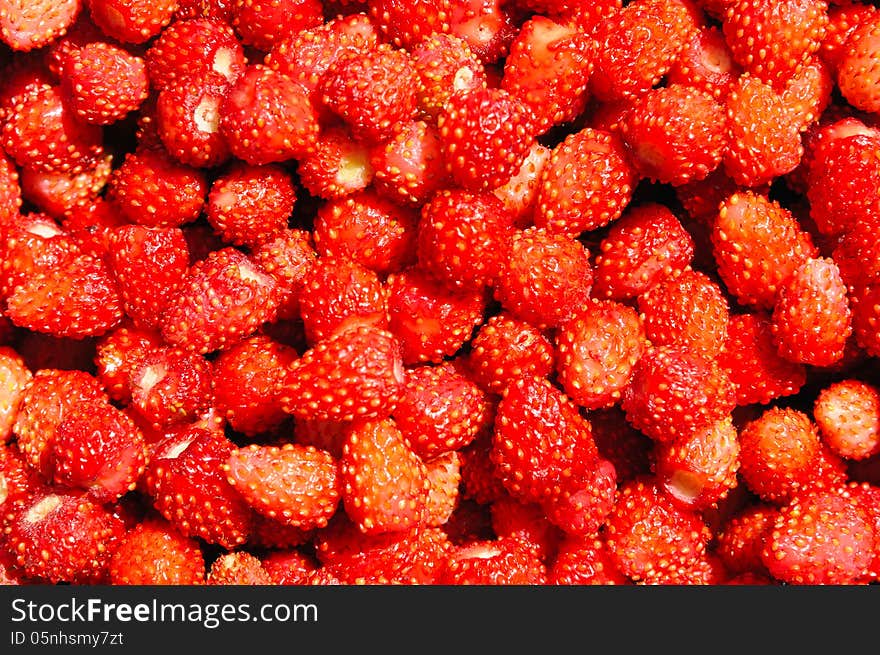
[132, 21]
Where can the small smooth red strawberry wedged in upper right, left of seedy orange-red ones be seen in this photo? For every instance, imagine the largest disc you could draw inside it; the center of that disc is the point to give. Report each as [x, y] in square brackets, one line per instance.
[706, 63]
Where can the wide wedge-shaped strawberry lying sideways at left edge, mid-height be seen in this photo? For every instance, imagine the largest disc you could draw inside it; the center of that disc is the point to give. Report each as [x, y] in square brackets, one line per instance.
[78, 299]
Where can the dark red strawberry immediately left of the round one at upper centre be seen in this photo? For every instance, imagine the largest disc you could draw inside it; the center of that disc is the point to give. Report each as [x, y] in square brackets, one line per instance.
[369, 229]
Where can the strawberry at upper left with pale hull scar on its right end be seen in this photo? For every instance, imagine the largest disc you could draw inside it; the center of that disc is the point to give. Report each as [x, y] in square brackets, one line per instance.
[192, 49]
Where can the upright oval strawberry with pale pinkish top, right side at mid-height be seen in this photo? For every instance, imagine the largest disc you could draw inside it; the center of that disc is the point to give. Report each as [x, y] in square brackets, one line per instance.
[811, 317]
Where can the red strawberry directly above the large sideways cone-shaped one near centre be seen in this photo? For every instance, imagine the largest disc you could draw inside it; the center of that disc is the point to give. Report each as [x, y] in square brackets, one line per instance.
[338, 293]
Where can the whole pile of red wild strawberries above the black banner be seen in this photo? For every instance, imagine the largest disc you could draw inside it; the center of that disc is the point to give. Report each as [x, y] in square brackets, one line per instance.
[436, 292]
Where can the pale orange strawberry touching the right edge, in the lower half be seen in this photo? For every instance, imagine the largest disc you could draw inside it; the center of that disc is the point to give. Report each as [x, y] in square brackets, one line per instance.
[847, 413]
